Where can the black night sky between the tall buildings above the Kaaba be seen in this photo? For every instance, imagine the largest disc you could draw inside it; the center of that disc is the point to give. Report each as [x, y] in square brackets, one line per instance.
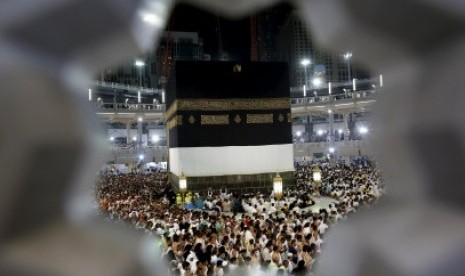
[235, 34]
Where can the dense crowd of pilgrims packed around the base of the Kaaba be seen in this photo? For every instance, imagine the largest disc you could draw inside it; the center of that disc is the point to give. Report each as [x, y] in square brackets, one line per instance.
[224, 233]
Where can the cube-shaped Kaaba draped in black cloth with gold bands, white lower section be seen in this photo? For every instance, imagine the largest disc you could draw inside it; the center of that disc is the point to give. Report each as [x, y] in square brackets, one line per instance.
[229, 124]
